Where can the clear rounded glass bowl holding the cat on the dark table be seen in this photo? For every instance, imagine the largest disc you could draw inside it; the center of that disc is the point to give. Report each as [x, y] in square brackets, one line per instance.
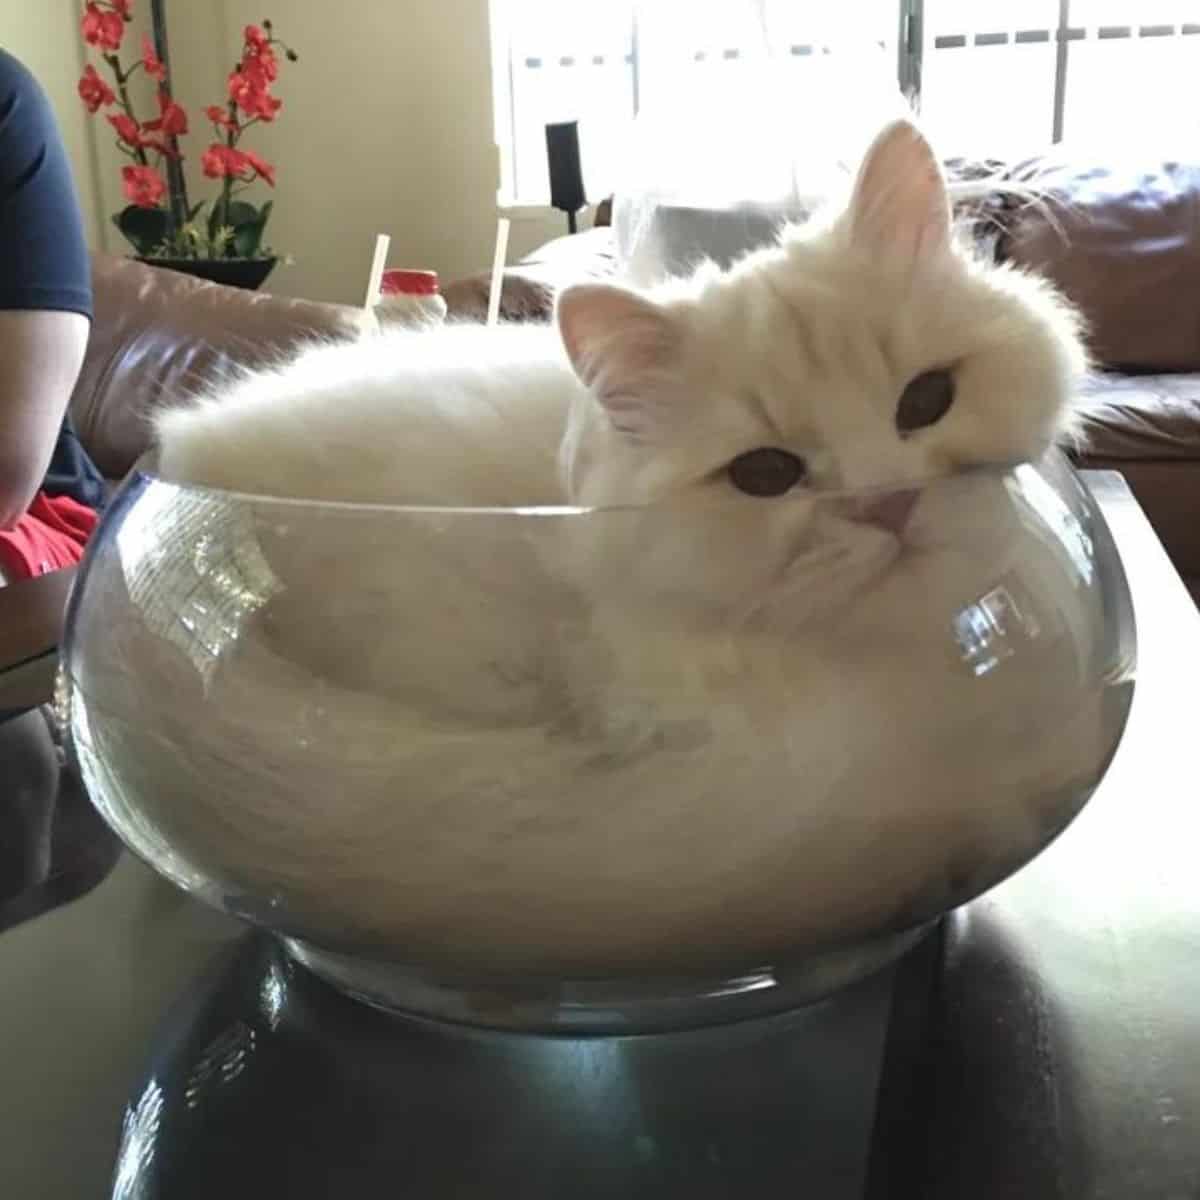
[613, 767]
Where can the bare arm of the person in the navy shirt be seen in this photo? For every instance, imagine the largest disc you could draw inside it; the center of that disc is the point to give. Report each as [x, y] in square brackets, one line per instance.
[40, 359]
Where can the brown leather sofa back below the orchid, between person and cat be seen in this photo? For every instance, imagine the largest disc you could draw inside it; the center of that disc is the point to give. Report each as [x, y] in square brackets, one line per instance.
[160, 338]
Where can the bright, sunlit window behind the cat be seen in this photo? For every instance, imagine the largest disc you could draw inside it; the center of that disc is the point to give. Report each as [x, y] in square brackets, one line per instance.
[991, 76]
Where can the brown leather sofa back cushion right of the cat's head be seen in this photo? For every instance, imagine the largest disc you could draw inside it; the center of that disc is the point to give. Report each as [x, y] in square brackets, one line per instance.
[1121, 238]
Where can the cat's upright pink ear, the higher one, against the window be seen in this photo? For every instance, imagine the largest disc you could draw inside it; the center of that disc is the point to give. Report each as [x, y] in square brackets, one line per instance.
[901, 206]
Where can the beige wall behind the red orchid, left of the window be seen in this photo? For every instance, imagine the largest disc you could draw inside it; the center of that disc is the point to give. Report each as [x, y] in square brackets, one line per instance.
[387, 128]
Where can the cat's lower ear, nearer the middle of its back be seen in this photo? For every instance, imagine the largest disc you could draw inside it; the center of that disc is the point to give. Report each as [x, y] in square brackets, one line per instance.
[623, 347]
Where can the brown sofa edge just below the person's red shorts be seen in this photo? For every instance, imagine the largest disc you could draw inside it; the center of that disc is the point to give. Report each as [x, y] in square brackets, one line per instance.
[32, 617]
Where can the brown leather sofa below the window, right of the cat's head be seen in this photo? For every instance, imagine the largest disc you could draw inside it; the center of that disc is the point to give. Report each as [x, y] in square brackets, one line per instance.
[1123, 239]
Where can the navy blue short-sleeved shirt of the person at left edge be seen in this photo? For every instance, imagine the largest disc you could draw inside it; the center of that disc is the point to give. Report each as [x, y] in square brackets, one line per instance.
[44, 255]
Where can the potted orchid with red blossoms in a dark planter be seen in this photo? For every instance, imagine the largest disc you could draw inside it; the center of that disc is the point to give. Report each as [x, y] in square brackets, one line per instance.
[219, 238]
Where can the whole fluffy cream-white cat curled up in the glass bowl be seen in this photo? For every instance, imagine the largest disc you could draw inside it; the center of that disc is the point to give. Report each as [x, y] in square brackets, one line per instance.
[729, 716]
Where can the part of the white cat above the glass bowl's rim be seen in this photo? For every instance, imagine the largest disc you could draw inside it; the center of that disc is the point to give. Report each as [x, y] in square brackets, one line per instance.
[809, 349]
